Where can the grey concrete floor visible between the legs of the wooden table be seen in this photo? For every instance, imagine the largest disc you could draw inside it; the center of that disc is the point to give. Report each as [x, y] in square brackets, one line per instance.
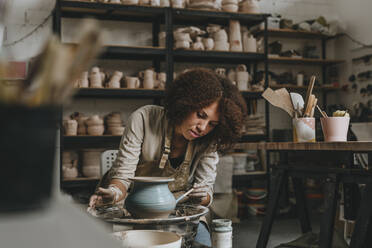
[245, 234]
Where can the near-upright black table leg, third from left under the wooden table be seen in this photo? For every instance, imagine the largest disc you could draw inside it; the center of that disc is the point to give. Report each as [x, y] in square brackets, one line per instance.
[328, 218]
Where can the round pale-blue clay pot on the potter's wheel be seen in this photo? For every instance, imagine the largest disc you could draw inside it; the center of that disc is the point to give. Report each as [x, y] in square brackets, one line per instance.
[150, 198]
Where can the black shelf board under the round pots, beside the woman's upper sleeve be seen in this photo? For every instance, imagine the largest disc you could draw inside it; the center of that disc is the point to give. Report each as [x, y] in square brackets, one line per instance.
[87, 141]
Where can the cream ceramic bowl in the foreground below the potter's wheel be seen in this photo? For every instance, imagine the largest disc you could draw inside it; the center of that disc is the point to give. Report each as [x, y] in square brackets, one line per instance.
[148, 239]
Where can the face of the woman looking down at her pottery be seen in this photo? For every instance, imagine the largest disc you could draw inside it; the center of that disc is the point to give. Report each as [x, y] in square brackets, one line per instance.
[199, 123]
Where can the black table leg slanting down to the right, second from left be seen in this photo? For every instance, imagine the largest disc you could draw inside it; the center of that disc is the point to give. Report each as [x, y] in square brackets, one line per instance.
[301, 205]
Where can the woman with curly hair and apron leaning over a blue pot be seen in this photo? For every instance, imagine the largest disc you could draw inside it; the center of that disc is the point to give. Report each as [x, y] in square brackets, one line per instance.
[203, 115]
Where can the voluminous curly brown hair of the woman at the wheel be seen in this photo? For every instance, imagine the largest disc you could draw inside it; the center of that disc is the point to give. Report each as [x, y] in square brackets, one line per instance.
[198, 88]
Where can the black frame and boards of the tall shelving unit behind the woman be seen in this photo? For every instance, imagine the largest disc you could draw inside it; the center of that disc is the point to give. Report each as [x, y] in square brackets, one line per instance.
[157, 16]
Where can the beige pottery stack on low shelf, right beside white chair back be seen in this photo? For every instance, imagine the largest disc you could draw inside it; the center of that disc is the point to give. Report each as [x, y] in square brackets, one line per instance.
[91, 162]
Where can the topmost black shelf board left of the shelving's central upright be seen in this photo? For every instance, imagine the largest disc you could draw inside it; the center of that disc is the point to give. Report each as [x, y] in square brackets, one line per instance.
[107, 11]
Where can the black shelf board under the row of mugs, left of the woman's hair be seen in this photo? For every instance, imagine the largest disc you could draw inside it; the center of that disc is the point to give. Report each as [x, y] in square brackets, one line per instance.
[118, 93]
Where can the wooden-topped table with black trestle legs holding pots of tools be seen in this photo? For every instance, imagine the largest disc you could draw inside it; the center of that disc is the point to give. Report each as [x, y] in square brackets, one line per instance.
[338, 154]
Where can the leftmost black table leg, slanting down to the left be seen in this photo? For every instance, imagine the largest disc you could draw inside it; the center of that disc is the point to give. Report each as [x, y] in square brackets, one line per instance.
[267, 223]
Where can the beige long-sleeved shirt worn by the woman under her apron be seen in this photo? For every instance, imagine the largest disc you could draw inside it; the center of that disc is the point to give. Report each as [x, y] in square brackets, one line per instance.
[143, 141]
